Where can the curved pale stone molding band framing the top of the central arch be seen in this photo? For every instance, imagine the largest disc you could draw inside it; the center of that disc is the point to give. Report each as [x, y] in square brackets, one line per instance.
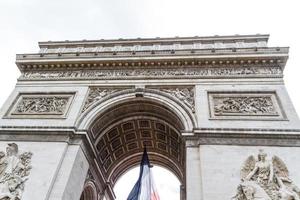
[173, 105]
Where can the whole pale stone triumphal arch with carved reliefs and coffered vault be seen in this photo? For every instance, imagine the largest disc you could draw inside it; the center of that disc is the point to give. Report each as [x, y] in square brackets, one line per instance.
[212, 110]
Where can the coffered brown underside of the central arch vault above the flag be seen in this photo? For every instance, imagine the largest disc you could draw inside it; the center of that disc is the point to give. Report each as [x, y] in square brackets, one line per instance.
[122, 130]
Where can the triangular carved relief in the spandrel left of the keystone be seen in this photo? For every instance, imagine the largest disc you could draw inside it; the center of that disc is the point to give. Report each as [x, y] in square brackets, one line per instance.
[97, 94]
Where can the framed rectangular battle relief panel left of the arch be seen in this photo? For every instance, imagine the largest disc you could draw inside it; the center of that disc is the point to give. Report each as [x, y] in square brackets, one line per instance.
[30, 105]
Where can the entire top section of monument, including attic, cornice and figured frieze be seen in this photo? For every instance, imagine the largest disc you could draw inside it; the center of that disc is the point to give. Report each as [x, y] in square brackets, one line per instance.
[154, 58]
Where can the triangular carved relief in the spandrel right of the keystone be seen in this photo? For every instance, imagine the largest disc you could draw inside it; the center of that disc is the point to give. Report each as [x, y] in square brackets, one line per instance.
[185, 95]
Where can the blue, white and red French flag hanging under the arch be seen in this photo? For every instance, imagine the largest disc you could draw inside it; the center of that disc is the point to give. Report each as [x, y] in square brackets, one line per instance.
[144, 189]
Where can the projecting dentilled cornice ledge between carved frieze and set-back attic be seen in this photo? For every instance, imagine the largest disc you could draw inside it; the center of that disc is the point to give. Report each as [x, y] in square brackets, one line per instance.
[198, 58]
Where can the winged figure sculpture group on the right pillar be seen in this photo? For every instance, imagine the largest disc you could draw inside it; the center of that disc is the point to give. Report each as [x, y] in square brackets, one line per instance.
[266, 179]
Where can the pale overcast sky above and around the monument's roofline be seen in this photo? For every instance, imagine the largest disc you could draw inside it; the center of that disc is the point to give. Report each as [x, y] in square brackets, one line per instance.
[25, 22]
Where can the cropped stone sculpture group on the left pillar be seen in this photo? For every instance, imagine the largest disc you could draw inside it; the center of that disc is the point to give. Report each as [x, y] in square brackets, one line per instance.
[14, 171]
